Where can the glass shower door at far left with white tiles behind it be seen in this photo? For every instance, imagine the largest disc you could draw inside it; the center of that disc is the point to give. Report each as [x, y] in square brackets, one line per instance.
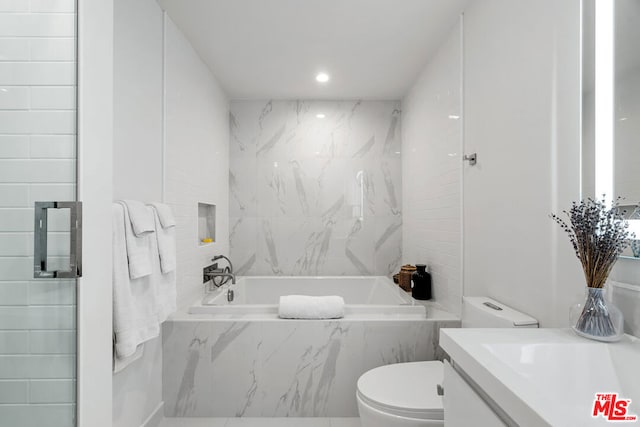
[37, 164]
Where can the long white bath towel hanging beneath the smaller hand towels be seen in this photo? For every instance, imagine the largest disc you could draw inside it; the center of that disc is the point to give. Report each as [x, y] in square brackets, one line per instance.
[135, 302]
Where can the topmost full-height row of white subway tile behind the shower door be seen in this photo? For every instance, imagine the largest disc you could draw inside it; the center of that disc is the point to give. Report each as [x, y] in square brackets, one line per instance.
[37, 25]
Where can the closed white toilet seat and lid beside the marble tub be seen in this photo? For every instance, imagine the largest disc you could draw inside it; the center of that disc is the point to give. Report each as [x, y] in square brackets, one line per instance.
[404, 389]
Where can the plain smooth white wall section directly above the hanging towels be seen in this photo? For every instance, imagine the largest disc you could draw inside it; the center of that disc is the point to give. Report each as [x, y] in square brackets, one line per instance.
[137, 113]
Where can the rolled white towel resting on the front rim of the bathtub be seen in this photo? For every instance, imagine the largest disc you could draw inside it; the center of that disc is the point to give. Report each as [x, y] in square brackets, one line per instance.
[306, 307]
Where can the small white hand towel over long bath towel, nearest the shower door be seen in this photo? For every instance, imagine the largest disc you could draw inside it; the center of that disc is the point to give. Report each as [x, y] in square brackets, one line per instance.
[138, 247]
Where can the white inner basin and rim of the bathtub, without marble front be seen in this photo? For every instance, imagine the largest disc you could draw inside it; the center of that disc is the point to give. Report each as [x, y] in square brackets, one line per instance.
[363, 296]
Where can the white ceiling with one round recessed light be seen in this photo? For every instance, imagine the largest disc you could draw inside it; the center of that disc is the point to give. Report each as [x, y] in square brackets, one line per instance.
[272, 49]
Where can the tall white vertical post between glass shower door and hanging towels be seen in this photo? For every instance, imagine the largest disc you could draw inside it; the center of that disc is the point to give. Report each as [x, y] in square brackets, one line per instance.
[94, 189]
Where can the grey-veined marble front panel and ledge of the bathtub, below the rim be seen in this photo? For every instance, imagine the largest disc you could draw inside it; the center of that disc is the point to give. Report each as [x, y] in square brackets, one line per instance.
[283, 368]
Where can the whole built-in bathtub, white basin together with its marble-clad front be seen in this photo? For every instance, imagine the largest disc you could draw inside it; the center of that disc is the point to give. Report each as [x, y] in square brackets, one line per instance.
[234, 359]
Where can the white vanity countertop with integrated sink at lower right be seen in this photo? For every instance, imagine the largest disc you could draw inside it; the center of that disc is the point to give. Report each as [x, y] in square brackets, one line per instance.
[547, 376]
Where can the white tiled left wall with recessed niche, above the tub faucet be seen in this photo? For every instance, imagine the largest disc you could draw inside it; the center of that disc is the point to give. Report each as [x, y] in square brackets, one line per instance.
[196, 158]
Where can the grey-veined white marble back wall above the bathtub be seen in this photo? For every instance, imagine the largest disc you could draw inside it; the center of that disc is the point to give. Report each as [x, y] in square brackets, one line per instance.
[315, 196]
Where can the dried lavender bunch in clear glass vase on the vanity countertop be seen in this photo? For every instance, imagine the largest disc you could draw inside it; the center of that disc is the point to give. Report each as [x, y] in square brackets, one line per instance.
[599, 236]
